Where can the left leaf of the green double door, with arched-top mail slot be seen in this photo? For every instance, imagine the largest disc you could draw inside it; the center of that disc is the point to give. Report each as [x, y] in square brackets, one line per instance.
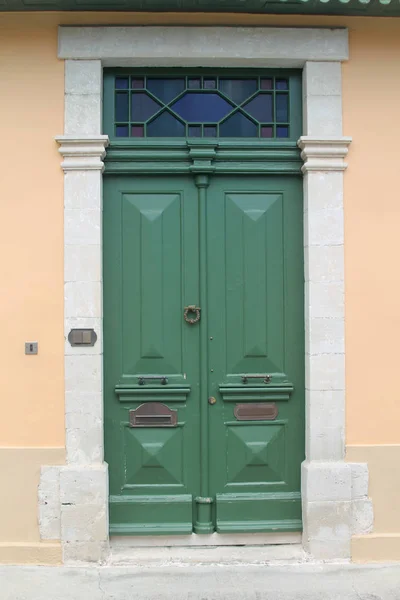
[150, 274]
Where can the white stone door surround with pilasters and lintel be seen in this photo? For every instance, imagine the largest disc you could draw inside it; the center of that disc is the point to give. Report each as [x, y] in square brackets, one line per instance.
[329, 485]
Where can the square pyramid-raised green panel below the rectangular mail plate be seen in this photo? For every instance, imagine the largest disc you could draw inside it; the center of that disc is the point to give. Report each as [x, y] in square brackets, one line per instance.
[256, 454]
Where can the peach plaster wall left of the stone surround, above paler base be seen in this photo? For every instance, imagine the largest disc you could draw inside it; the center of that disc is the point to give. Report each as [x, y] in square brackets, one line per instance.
[31, 234]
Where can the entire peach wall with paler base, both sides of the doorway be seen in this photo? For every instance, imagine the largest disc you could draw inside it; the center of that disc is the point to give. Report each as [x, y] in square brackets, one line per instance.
[31, 261]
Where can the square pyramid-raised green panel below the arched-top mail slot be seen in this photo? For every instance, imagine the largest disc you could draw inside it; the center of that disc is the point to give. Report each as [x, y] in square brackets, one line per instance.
[153, 457]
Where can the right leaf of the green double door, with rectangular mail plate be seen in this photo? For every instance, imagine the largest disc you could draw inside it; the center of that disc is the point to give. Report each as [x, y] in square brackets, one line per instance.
[255, 325]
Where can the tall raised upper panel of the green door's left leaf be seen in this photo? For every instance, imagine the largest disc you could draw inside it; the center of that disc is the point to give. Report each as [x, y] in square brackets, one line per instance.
[152, 274]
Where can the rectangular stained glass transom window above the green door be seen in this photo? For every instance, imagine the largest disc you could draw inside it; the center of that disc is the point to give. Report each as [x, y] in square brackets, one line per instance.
[202, 106]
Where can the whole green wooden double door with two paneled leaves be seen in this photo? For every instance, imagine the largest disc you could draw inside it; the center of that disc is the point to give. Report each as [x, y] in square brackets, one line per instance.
[204, 421]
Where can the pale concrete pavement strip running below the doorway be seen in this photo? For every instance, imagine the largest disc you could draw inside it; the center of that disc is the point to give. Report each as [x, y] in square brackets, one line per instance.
[204, 575]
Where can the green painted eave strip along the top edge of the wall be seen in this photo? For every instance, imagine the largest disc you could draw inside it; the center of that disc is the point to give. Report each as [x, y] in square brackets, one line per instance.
[318, 7]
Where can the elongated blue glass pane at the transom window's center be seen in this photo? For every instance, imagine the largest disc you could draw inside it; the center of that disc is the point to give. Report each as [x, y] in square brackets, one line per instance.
[201, 107]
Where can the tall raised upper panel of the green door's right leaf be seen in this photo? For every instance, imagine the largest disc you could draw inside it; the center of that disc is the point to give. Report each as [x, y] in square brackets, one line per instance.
[254, 238]
